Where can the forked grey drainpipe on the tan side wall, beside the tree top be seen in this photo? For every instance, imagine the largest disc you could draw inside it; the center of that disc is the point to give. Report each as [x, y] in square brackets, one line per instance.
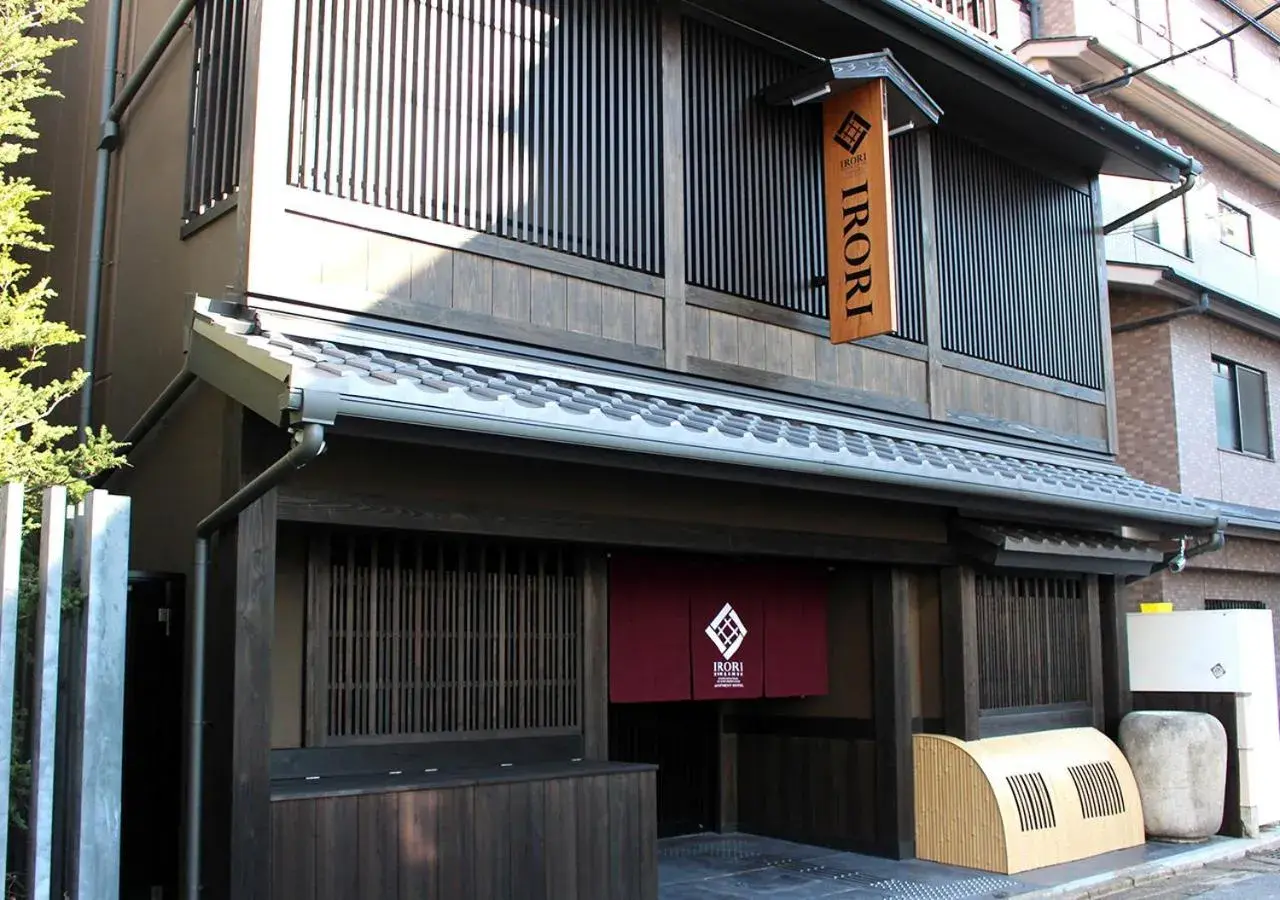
[113, 111]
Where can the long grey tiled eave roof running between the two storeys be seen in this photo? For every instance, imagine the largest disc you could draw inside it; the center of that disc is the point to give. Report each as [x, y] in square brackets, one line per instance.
[417, 381]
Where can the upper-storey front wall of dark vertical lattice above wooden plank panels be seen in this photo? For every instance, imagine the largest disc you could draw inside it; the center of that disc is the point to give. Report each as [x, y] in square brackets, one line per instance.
[700, 267]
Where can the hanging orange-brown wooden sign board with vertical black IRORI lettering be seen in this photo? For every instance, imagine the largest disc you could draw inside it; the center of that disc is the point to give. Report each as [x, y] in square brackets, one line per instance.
[861, 278]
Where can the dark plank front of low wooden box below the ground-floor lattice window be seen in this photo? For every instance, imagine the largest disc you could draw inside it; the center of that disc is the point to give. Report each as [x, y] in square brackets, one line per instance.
[566, 839]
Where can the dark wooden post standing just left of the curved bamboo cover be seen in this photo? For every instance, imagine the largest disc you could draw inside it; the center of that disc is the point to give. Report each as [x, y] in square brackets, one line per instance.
[892, 680]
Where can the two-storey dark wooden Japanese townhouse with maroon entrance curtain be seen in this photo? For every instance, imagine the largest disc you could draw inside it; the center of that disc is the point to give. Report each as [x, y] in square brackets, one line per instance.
[586, 533]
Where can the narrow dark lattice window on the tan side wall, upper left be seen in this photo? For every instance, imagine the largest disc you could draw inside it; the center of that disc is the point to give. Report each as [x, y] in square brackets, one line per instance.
[217, 106]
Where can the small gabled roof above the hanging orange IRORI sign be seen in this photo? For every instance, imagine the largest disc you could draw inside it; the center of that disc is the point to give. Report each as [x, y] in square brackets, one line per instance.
[909, 106]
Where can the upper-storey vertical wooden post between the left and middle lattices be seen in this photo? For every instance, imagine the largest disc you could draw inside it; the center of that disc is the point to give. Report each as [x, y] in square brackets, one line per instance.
[674, 188]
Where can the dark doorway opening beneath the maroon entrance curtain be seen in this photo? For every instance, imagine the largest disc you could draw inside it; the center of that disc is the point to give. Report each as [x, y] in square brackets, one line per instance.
[683, 741]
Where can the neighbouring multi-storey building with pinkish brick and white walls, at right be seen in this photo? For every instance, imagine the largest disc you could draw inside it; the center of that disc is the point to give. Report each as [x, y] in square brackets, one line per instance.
[1195, 284]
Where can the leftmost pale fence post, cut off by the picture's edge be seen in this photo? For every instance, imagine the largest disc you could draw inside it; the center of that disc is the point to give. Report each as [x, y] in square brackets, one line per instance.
[11, 564]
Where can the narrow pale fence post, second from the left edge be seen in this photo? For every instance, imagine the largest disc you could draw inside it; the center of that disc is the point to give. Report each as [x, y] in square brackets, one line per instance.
[44, 702]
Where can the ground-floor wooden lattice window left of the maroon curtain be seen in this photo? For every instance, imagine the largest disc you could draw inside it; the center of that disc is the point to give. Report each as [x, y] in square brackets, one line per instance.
[424, 638]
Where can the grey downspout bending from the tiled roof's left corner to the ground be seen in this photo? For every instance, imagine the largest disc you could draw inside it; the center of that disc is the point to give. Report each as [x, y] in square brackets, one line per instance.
[308, 445]
